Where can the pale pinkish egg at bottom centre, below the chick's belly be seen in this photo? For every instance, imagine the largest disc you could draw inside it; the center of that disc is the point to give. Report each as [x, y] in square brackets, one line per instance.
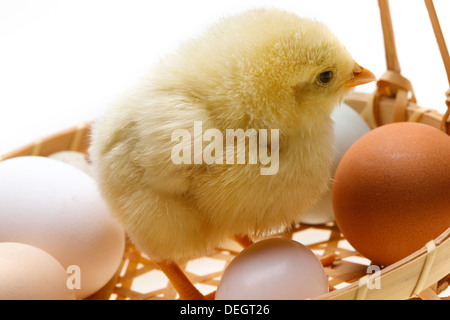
[273, 269]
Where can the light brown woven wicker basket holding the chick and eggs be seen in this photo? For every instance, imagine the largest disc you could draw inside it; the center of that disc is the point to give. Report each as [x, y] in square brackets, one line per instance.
[425, 274]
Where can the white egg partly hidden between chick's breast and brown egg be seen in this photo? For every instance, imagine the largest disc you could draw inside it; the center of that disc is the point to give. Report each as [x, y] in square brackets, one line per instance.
[349, 126]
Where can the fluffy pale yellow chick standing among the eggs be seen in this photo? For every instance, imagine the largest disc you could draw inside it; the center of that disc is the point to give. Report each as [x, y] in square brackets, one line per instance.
[262, 69]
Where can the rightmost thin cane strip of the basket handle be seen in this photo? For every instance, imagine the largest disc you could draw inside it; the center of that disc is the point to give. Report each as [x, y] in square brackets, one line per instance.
[445, 124]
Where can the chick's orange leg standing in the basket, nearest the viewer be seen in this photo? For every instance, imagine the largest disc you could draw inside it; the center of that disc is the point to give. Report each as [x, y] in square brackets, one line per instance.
[180, 282]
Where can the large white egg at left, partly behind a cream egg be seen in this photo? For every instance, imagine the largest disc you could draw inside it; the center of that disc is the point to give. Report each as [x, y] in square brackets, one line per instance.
[58, 208]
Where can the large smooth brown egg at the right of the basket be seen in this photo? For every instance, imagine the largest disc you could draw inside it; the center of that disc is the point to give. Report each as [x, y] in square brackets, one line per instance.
[391, 190]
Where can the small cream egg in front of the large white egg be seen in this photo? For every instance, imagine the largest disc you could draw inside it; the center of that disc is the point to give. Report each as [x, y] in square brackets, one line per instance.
[30, 273]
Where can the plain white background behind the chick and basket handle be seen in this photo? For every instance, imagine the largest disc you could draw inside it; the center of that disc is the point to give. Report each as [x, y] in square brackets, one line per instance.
[62, 62]
